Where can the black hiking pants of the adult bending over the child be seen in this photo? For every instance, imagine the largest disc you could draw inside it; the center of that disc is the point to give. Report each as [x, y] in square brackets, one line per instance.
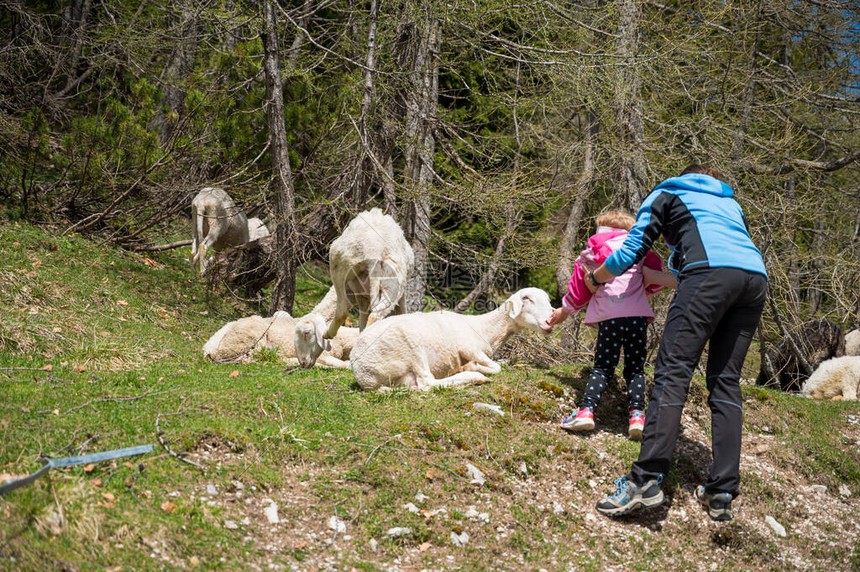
[722, 305]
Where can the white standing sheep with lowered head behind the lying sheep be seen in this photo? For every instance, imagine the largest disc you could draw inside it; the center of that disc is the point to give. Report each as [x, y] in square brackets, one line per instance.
[369, 264]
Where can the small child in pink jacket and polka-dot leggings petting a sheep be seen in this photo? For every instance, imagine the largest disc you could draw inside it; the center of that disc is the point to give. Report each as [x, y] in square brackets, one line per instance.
[621, 312]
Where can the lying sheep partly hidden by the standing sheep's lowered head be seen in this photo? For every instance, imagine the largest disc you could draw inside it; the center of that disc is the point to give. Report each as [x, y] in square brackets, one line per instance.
[238, 340]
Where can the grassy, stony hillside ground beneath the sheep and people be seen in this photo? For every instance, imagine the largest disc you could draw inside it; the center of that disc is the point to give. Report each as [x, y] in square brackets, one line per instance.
[99, 348]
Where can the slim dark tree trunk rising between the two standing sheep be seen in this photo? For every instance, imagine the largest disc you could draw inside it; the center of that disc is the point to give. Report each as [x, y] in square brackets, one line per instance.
[281, 184]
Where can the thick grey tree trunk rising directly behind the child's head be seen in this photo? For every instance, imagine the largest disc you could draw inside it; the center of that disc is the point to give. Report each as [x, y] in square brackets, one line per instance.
[631, 130]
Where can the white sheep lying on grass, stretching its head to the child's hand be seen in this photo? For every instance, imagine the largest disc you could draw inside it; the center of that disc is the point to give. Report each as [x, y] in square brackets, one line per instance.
[440, 349]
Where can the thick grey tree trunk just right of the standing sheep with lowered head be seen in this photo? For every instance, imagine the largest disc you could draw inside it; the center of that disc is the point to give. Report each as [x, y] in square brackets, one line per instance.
[421, 100]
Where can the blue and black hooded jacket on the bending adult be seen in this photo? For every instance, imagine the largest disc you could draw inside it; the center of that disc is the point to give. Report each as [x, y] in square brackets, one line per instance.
[703, 225]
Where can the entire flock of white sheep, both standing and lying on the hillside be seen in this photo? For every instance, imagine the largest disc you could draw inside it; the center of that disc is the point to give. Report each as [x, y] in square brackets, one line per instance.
[369, 265]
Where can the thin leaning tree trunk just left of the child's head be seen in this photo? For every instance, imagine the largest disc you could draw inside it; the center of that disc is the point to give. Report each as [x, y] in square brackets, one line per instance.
[581, 190]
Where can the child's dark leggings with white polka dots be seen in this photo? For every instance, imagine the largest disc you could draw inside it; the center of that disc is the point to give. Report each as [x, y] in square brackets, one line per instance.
[612, 335]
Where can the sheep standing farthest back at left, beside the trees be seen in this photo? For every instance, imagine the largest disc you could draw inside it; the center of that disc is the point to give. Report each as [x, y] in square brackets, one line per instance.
[216, 223]
